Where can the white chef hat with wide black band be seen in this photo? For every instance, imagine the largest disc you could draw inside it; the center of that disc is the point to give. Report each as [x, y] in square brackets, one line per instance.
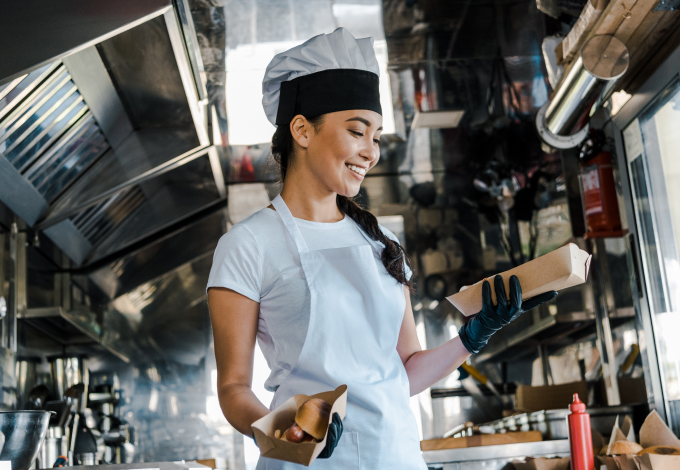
[328, 73]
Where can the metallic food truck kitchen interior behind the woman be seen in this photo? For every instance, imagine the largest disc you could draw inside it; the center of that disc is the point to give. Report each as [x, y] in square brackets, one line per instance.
[132, 138]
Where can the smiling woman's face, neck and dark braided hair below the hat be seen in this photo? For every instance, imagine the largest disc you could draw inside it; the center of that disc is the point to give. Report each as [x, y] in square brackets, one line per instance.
[328, 156]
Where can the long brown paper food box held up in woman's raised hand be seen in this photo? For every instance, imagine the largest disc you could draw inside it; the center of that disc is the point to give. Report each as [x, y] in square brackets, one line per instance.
[565, 267]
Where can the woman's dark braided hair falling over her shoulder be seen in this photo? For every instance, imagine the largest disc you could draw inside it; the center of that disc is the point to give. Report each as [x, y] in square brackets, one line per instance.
[393, 256]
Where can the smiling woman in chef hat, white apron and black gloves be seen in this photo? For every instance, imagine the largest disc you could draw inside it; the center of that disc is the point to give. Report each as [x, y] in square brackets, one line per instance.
[322, 286]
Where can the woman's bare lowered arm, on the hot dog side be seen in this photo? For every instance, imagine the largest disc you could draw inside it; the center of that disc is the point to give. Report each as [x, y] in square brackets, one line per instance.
[234, 320]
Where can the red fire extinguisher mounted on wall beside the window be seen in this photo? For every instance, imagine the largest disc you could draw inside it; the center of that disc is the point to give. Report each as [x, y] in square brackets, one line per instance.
[600, 202]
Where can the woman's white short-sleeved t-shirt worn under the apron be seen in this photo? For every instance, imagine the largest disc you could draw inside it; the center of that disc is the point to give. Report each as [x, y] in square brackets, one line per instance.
[258, 259]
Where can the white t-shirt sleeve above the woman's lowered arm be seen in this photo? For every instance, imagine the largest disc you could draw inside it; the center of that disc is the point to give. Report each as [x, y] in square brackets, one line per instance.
[237, 263]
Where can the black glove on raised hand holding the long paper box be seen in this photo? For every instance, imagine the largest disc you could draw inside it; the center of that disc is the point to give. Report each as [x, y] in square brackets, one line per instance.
[477, 331]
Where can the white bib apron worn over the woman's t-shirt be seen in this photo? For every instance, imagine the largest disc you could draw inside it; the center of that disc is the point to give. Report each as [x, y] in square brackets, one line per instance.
[354, 323]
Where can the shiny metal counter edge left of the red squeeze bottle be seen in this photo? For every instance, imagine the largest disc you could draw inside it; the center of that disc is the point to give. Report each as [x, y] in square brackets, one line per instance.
[493, 457]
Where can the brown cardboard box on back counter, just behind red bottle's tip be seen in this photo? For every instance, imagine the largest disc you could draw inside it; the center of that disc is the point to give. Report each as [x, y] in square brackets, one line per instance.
[549, 397]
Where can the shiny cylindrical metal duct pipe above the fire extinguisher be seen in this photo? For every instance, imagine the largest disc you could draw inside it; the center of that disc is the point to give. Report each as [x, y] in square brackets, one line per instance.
[562, 122]
